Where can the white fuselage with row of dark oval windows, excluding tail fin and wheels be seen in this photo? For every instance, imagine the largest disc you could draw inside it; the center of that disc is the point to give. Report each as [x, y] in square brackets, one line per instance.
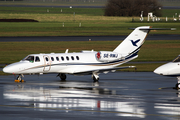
[70, 63]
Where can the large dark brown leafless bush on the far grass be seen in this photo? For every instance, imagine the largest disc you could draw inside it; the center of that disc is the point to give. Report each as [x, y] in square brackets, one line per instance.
[132, 7]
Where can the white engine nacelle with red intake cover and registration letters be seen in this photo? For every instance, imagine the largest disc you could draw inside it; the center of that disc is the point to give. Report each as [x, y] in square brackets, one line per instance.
[107, 56]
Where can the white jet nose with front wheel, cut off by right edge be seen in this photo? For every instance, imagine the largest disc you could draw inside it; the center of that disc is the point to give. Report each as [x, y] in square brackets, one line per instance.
[171, 69]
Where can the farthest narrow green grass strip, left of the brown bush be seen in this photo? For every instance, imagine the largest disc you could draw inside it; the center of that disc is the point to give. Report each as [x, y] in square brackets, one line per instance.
[50, 10]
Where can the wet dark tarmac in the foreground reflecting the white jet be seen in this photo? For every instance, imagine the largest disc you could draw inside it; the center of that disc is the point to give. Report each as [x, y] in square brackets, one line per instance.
[117, 96]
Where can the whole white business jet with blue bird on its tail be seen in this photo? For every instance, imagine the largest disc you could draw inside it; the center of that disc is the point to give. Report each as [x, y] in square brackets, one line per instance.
[83, 63]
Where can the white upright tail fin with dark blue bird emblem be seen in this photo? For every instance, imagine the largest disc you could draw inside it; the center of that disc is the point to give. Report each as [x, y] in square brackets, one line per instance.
[134, 41]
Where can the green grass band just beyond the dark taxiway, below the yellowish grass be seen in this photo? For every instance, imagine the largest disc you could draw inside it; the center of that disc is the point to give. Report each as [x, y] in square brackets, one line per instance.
[73, 29]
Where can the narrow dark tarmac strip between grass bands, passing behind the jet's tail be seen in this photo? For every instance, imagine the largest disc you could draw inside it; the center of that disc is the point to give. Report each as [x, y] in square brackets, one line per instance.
[84, 38]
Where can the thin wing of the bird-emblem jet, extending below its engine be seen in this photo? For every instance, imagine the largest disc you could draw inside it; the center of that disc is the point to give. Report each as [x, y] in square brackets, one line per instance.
[104, 70]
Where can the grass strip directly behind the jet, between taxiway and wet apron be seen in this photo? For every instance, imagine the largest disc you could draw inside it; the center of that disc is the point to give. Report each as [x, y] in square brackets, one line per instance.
[155, 50]
